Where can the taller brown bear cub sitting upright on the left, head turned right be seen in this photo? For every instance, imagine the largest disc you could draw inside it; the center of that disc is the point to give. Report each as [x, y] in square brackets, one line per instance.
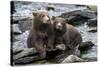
[41, 35]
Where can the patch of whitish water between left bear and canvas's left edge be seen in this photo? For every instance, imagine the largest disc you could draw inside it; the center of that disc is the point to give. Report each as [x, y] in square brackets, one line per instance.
[21, 41]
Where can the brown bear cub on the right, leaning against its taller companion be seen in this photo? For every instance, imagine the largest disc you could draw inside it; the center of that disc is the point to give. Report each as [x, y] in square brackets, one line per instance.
[66, 34]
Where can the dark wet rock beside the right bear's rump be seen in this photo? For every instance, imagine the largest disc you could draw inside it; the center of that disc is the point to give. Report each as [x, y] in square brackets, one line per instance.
[86, 46]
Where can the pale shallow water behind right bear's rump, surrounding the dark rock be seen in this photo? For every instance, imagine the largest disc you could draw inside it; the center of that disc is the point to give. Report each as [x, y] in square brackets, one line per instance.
[91, 54]
